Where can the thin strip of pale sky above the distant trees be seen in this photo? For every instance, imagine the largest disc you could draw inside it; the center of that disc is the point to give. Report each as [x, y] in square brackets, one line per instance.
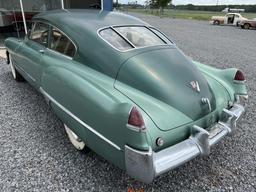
[200, 2]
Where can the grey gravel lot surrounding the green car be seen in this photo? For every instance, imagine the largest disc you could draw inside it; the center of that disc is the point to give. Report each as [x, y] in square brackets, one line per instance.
[35, 154]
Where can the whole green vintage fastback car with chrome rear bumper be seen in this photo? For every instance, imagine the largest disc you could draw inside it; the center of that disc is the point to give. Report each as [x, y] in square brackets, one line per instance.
[124, 90]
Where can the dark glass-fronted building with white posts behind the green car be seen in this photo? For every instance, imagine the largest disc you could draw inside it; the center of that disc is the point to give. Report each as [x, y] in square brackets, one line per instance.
[11, 11]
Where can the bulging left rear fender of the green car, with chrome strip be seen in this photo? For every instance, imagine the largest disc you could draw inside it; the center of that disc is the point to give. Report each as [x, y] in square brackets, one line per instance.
[88, 103]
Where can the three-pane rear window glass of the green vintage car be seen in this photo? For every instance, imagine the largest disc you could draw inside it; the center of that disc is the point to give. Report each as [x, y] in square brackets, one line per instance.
[128, 37]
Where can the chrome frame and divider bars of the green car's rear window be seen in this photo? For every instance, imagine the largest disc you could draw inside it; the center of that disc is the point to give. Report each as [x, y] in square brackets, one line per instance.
[130, 43]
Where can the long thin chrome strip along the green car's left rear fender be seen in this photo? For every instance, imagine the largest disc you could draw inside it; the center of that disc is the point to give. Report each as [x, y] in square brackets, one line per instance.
[79, 120]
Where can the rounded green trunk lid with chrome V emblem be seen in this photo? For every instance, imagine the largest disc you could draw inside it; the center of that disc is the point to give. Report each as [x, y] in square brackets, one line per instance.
[167, 86]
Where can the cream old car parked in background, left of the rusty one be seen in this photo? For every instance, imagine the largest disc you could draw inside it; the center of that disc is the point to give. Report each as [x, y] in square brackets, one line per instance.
[228, 19]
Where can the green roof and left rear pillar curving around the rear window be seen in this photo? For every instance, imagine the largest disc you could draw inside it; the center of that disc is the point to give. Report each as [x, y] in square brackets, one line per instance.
[82, 27]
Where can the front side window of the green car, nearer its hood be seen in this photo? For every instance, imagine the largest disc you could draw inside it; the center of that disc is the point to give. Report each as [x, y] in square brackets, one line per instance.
[39, 33]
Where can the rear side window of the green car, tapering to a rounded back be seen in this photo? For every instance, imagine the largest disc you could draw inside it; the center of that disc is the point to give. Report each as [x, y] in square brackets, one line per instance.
[62, 44]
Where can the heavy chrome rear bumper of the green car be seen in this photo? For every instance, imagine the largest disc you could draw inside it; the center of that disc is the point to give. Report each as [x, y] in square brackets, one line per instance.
[145, 166]
